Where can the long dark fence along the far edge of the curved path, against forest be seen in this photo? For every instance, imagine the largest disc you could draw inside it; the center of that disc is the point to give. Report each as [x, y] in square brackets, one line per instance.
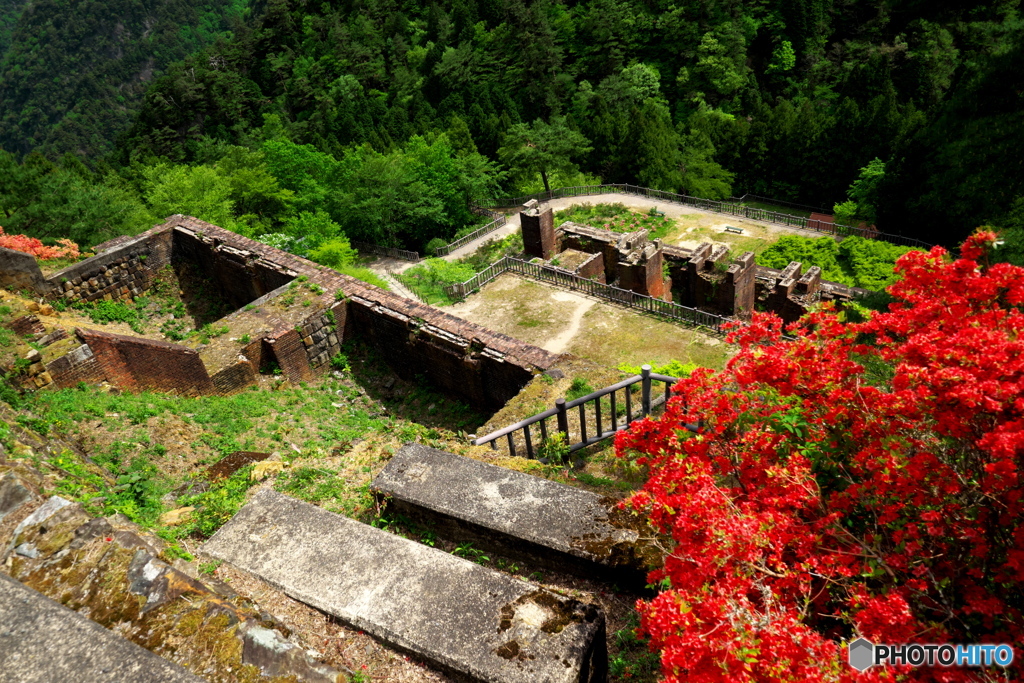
[732, 208]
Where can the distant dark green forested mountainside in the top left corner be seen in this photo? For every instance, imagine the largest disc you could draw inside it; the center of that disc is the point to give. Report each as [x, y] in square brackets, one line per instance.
[72, 73]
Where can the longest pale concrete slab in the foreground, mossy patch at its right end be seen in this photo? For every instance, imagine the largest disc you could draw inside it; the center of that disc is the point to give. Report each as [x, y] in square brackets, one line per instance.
[471, 622]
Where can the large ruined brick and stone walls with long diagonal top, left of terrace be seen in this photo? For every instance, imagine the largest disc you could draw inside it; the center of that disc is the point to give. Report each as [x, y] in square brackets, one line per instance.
[465, 359]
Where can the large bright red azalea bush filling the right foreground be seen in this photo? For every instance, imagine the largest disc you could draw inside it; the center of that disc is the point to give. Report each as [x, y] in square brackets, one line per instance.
[862, 481]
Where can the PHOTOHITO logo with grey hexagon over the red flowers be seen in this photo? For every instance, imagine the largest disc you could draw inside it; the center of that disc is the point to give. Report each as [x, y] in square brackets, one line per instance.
[864, 655]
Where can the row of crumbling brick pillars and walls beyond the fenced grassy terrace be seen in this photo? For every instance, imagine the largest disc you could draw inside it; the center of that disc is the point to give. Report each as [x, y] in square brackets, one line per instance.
[704, 278]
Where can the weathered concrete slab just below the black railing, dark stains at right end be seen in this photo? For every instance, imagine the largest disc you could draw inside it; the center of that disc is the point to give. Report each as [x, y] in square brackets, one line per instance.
[530, 519]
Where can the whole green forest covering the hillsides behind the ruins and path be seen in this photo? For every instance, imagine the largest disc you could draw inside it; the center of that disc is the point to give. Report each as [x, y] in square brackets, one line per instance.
[382, 119]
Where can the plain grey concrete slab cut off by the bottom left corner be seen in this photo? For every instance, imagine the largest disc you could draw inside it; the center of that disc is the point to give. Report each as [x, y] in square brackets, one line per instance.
[44, 642]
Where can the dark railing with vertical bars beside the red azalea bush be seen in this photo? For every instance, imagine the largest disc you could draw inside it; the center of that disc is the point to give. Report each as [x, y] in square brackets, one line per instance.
[604, 415]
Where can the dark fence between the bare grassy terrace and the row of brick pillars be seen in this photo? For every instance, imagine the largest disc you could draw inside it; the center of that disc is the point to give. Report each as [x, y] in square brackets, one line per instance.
[553, 276]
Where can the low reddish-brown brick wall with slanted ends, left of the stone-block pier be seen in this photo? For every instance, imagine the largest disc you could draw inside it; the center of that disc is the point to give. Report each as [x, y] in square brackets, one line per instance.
[138, 365]
